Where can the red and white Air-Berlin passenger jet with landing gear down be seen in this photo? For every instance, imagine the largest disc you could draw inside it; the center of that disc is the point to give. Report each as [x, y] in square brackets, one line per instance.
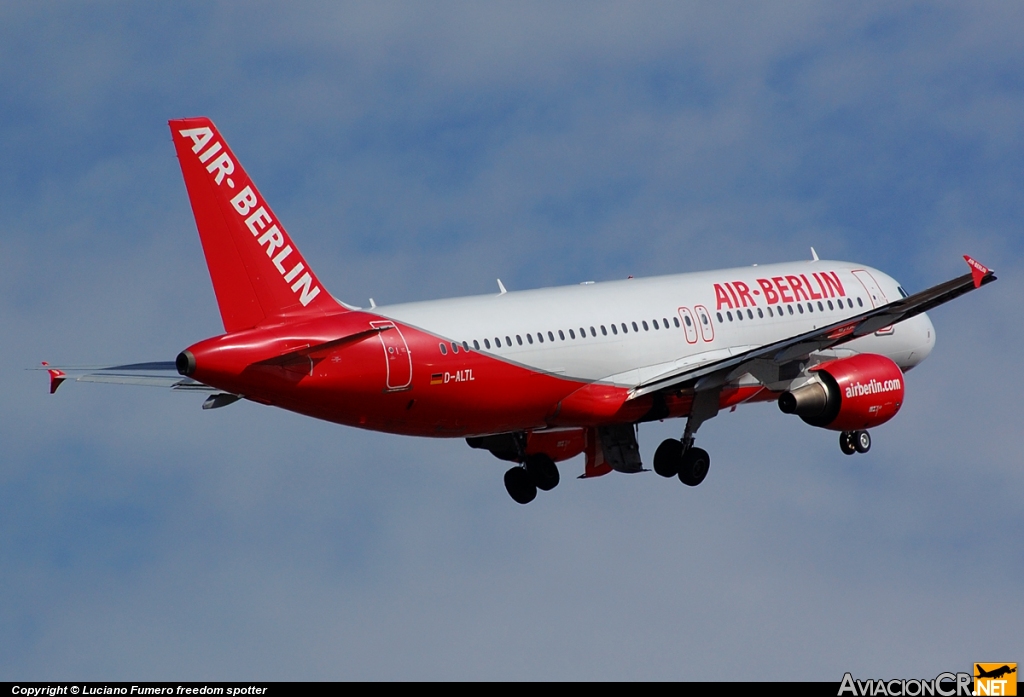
[539, 377]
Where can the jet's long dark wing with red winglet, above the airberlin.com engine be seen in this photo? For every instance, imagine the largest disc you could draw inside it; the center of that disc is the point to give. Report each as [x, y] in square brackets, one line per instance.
[803, 345]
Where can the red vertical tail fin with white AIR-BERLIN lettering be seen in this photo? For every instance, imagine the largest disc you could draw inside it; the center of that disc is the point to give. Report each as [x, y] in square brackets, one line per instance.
[259, 274]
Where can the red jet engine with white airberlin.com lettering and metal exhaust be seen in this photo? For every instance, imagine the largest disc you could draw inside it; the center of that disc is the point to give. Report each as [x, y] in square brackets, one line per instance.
[849, 395]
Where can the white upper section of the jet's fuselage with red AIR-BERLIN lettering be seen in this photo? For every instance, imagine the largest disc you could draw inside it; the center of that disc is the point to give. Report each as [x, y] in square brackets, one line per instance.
[625, 332]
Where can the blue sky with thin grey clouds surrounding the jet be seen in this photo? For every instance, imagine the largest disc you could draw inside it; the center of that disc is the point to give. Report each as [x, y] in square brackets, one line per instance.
[421, 151]
